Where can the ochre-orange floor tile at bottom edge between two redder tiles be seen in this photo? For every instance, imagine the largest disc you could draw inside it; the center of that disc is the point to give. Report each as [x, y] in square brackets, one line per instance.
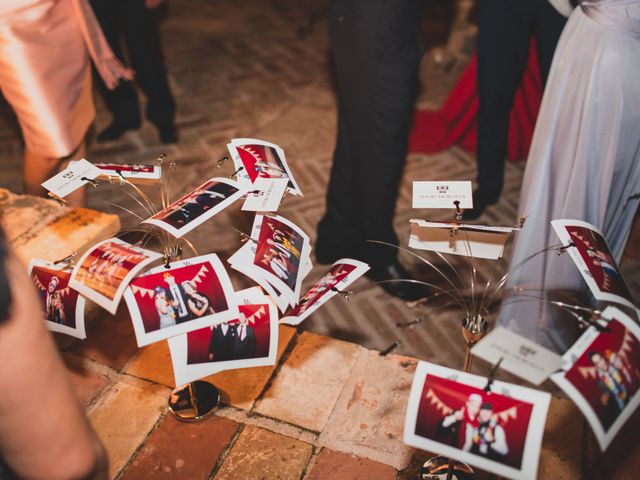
[259, 454]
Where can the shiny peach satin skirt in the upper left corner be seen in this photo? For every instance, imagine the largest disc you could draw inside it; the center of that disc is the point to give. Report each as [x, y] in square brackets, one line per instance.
[45, 73]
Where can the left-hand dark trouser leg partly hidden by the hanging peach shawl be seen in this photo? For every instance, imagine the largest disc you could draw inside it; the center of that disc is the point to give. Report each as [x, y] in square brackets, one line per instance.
[122, 101]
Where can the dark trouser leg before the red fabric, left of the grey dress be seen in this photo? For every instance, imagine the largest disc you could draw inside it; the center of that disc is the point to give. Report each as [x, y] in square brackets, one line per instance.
[504, 28]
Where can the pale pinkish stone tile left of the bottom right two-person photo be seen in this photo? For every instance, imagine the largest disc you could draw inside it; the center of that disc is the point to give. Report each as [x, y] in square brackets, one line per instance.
[368, 419]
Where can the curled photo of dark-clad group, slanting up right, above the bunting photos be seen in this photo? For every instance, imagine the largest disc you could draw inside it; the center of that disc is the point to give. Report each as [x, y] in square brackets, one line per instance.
[198, 206]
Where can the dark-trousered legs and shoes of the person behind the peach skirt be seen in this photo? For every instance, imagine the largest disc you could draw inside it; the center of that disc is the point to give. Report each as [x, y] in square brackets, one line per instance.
[134, 22]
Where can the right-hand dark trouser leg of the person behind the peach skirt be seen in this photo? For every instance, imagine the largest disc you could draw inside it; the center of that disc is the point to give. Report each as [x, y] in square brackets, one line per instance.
[145, 52]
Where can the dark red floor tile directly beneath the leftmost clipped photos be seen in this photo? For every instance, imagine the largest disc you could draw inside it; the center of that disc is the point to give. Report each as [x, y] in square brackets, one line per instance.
[111, 341]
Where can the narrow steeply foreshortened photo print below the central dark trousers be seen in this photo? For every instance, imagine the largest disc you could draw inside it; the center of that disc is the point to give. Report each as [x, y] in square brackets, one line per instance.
[341, 274]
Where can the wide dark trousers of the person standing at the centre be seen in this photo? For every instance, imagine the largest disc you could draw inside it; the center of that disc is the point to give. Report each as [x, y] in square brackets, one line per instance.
[376, 47]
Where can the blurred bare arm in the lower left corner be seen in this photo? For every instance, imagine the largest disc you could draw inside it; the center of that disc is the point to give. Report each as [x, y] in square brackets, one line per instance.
[43, 431]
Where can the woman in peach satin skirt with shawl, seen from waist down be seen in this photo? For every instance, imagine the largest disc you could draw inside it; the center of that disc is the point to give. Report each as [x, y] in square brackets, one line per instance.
[45, 77]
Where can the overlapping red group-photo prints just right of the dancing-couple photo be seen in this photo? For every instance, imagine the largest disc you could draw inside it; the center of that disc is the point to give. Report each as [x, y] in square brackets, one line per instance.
[277, 254]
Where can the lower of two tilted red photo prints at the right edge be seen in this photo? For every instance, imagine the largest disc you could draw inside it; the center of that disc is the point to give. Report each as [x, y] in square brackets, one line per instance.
[601, 374]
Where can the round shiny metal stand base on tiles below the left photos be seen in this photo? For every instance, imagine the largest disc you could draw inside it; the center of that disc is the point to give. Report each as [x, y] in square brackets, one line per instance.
[194, 401]
